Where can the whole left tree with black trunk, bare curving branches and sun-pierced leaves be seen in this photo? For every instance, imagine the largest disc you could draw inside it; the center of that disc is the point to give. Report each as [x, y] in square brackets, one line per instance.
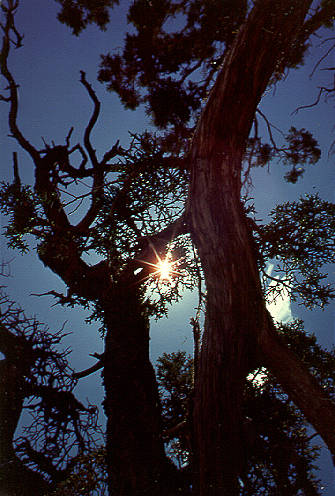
[127, 223]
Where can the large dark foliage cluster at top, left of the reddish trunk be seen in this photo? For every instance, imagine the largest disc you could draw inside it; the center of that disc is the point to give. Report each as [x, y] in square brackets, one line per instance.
[174, 44]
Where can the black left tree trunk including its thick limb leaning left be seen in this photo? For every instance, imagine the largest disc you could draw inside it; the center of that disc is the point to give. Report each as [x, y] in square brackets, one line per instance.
[136, 460]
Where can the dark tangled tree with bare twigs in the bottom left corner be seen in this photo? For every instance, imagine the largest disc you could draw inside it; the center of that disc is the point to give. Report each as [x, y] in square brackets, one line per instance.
[35, 376]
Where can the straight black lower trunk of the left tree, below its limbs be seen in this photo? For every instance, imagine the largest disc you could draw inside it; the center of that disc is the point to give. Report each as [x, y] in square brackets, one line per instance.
[135, 451]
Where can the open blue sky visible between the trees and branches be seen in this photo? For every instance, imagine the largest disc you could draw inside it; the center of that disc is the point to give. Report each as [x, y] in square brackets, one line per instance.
[52, 101]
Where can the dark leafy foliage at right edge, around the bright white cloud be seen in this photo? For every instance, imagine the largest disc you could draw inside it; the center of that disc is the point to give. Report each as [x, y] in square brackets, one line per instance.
[300, 240]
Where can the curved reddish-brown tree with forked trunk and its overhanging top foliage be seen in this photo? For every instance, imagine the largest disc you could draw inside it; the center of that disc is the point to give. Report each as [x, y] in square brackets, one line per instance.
[246, 48]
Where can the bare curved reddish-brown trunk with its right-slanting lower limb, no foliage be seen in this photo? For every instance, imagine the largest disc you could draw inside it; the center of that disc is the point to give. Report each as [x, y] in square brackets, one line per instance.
[238, 329]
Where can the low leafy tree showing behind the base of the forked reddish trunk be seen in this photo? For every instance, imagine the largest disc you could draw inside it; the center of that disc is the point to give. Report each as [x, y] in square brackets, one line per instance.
[281, 455]
